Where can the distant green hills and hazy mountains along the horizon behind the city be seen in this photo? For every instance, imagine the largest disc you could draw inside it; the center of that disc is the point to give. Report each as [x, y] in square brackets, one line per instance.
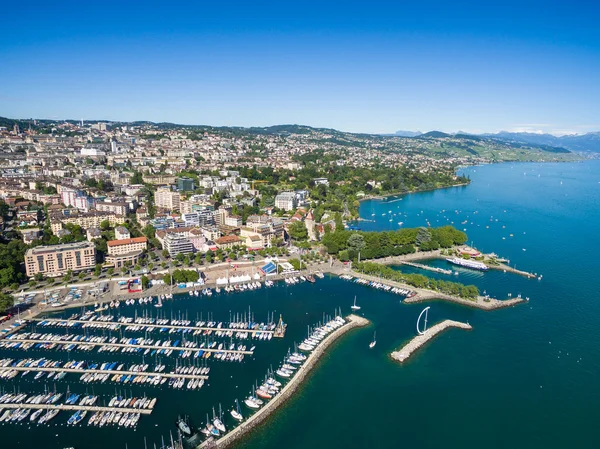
[460, 148]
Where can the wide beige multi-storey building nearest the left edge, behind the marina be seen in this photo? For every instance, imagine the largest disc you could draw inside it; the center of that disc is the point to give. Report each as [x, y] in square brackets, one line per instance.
[56, 260]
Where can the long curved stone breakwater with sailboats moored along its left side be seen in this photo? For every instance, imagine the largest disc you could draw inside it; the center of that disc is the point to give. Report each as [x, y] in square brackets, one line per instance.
[288, 390]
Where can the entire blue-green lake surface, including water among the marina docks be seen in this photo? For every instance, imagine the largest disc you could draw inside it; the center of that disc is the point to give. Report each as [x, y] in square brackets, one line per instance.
[525, 376]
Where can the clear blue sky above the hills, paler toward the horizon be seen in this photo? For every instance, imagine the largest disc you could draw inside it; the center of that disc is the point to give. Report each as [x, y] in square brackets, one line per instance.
[357, 66]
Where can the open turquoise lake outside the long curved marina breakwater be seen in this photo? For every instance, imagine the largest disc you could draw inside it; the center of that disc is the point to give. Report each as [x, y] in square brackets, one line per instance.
[526, 376]
